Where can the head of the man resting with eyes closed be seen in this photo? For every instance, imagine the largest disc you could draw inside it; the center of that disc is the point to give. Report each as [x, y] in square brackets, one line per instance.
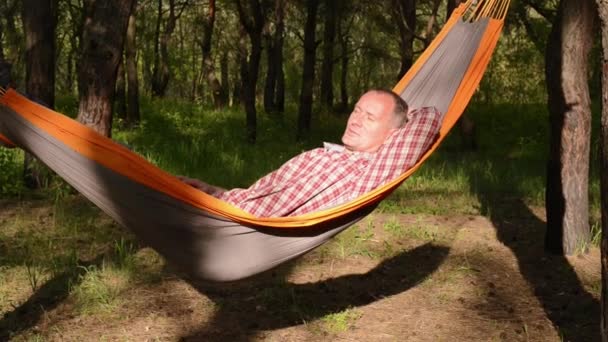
[377, 114]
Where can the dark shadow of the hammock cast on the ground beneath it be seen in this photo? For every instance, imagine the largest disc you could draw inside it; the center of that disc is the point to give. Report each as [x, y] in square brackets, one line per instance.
[270, 302]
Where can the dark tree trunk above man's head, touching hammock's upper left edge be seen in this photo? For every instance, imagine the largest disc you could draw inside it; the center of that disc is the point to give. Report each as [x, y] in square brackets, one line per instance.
[404, 14]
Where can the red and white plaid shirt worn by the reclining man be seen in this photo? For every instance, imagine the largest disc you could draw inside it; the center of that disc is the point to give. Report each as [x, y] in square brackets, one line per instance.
[329, 176]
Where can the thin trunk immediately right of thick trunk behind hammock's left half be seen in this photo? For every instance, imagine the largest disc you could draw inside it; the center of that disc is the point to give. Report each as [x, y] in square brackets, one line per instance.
[132, 77]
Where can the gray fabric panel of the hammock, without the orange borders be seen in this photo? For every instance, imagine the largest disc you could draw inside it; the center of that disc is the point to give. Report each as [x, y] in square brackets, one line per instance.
[207, 246]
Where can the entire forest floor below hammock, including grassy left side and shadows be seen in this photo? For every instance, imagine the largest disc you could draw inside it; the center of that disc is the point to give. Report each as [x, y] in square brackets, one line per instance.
[393, 277]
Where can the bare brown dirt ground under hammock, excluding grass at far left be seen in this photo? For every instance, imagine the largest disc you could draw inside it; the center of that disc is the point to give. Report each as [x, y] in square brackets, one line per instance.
[392, 278]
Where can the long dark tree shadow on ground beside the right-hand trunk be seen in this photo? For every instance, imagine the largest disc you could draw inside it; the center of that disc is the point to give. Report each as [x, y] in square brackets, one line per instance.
[573, 311]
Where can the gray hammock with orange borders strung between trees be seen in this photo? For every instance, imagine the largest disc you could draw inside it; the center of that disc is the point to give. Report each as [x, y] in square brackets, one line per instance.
[210, 239]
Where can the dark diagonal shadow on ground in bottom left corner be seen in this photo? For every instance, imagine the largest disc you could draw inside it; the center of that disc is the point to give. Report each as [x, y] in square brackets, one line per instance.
[46, 298]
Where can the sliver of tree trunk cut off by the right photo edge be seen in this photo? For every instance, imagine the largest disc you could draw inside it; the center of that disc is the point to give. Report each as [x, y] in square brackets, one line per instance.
[603, 15]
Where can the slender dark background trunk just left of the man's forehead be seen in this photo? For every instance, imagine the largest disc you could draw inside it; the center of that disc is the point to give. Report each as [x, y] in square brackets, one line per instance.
[327, 68]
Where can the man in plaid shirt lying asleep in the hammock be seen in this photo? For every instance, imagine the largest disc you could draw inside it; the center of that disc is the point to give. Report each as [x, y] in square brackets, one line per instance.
[329, 176]
